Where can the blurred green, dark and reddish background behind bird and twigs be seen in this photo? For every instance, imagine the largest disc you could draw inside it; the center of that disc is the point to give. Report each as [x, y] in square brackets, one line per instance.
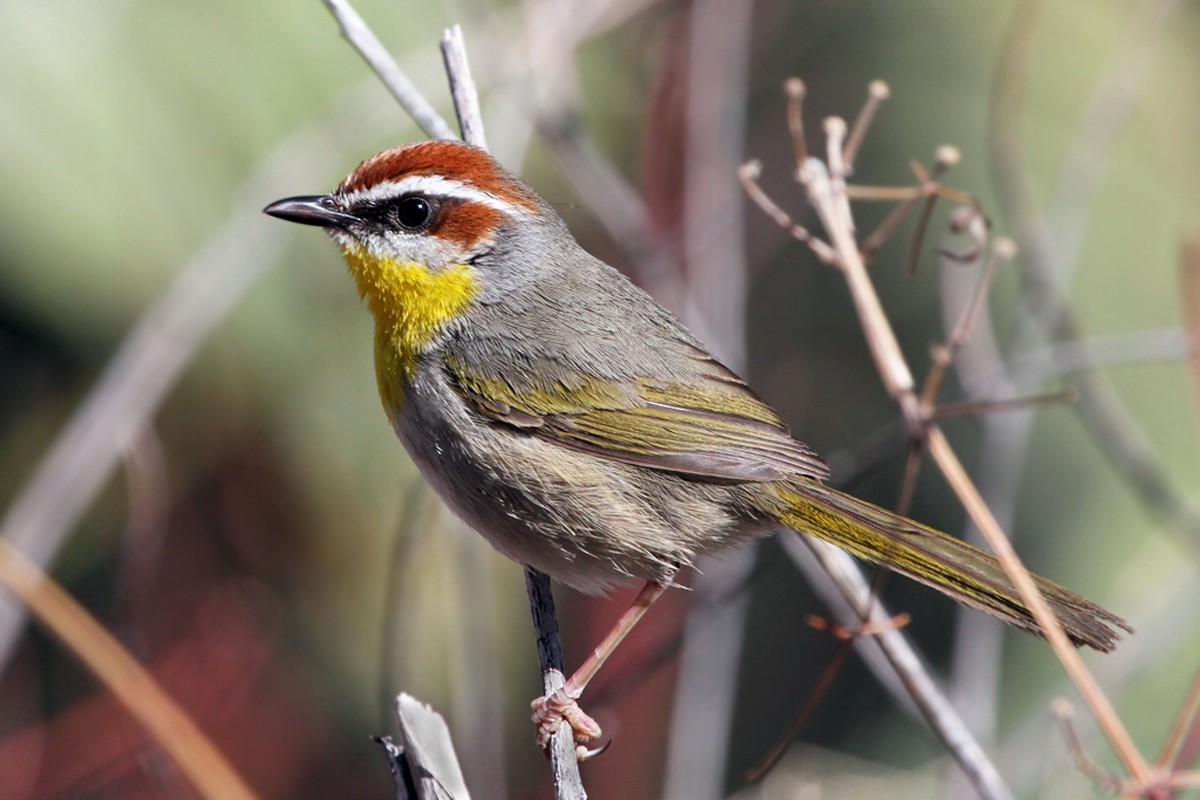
[279, 530]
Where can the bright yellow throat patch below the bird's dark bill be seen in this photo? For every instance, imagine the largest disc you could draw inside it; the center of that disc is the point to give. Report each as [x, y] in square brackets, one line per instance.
[411, 305]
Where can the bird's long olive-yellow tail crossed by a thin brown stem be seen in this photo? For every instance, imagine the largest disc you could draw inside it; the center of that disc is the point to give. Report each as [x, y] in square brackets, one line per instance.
[947, 564]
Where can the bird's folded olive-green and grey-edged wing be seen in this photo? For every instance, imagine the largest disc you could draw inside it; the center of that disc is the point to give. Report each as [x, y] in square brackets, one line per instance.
[712, 426]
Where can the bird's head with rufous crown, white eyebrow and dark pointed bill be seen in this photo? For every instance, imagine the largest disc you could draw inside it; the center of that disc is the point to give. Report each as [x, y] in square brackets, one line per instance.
[431, 225]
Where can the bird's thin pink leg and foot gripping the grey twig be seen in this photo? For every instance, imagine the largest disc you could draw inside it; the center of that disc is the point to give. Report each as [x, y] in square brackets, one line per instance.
[551, 712]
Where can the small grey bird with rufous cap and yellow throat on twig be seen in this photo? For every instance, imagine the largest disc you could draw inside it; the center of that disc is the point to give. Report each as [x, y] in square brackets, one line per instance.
[575, 423]
